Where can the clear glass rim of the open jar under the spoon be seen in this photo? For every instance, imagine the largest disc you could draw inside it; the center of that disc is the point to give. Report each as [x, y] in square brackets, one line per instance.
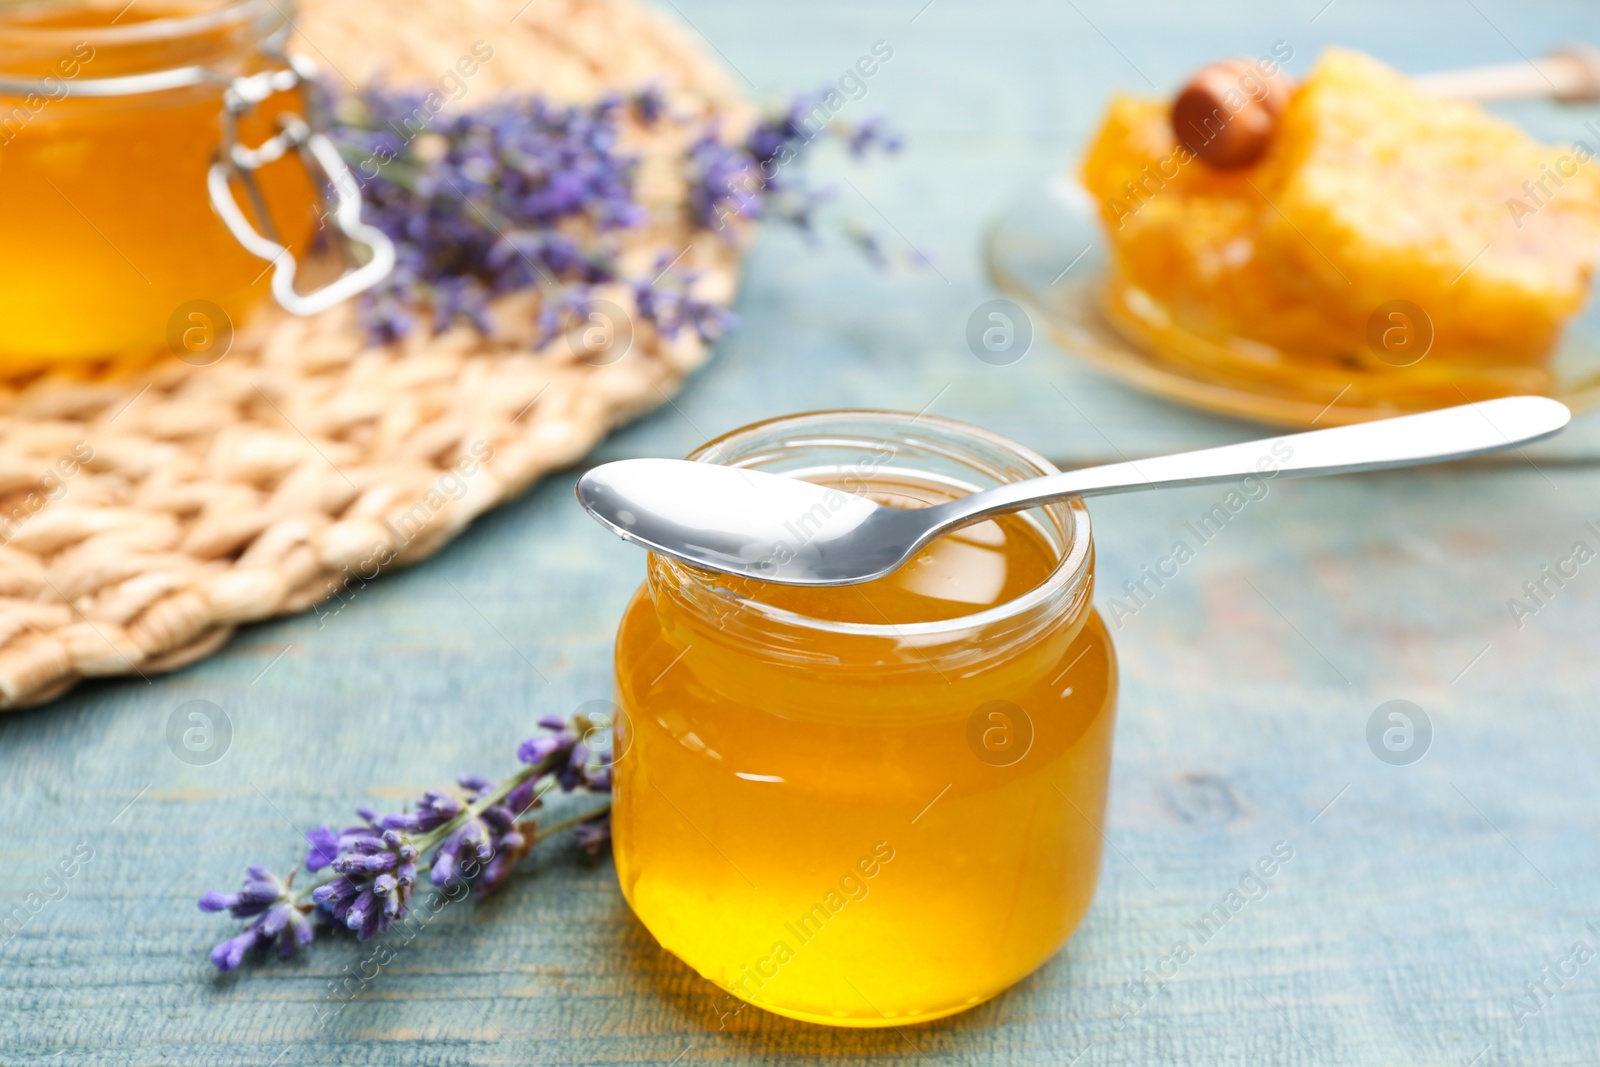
[1065, 580]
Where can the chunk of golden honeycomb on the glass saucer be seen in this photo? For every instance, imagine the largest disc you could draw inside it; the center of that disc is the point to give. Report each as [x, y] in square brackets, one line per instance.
[1372, 193]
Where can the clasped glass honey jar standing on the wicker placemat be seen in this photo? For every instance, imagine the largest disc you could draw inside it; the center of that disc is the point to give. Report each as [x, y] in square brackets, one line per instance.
[130, 135]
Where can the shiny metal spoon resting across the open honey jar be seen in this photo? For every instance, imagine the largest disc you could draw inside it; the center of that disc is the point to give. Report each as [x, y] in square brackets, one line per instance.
[799, 533]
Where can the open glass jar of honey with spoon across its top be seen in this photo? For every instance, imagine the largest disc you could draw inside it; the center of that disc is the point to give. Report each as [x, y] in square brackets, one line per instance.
[879, 804]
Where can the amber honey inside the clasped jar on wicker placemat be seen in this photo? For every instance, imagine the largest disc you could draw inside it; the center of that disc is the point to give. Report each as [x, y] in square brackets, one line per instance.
[110, 234]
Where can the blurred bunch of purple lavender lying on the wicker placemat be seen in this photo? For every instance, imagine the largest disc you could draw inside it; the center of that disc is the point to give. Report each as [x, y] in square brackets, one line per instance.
[524, 194]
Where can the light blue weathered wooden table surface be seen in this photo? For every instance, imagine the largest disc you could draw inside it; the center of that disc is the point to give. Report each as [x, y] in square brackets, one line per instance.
[1422, 900]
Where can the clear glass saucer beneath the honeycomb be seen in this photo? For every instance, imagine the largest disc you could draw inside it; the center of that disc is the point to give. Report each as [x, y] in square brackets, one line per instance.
[1046, 250]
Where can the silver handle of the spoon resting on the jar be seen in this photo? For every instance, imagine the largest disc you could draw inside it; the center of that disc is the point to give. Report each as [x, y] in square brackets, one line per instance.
[1414, 439]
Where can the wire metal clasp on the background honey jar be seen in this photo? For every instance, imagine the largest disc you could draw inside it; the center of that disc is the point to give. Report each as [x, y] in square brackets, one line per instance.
[329, 172]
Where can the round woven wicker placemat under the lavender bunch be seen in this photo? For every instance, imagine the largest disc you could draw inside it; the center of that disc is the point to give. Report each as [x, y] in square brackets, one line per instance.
[146, 511]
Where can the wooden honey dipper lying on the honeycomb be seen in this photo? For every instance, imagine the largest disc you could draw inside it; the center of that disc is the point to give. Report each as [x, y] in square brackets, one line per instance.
[1220, 119]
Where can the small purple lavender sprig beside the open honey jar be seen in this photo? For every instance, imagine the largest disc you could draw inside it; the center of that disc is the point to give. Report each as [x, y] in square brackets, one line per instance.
[474, 839]
